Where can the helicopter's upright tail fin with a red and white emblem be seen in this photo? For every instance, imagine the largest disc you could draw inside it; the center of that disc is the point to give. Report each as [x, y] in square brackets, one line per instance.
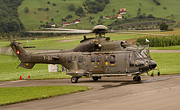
[22, 54]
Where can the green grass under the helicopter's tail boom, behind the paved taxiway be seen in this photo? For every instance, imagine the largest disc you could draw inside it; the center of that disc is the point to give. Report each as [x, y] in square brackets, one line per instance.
[8, 70]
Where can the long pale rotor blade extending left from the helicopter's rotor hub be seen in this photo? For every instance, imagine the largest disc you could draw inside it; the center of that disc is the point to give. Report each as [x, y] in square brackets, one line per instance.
[74, 31]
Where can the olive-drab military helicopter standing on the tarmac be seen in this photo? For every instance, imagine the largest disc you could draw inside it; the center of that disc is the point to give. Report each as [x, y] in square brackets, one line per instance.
[93, 57]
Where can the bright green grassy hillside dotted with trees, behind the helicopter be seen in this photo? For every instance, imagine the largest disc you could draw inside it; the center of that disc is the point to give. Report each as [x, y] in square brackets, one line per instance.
[34, 18]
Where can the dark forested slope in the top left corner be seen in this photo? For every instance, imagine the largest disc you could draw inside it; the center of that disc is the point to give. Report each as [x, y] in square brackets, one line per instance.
[9, 17]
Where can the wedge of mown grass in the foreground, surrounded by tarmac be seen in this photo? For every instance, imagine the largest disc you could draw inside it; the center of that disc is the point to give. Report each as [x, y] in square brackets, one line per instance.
[10, 95]
